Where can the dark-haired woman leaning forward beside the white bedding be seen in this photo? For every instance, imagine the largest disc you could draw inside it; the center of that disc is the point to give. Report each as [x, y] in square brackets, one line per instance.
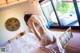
[44, 35]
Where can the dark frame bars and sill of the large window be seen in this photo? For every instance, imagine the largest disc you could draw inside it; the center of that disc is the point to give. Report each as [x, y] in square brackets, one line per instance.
[77, 14]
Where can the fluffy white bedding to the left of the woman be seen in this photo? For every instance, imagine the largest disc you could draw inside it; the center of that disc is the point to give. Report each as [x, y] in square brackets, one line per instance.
[24, 44]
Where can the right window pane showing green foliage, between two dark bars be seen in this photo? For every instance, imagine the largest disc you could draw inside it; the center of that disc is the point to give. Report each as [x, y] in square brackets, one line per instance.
[66, 12]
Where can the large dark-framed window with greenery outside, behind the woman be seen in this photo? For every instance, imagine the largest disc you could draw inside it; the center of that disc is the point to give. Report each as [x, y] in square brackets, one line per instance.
[61, 12]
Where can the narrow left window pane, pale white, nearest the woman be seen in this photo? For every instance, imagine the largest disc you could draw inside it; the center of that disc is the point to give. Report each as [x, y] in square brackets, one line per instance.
[48, 12]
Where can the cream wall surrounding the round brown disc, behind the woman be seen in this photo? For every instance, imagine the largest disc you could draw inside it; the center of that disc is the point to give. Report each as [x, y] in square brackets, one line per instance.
[16, 11]
